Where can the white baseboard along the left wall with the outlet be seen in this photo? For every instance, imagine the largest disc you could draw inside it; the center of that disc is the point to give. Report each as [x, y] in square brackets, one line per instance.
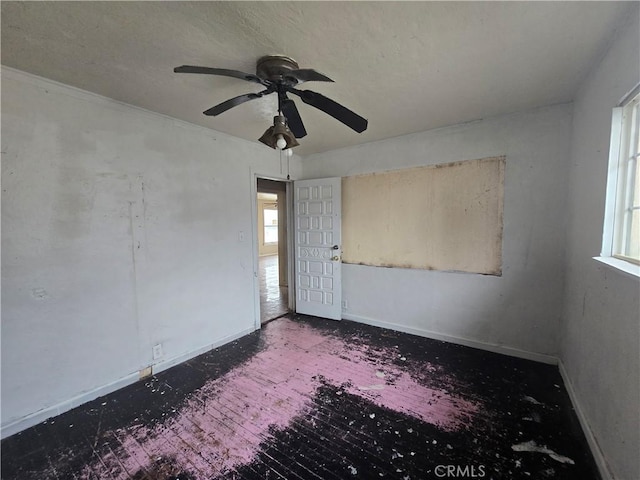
[40, 416]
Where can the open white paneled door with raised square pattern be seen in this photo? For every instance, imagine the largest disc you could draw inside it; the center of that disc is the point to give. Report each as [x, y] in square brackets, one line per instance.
[318, 247]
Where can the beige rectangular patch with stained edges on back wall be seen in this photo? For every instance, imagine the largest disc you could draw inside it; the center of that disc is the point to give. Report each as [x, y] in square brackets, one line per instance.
[445, 217]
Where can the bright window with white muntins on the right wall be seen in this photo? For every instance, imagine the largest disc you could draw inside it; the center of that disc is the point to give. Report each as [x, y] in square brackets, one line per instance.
[621, 238]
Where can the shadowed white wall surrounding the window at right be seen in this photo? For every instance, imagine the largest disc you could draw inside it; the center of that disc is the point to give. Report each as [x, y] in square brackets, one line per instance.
[601, 331]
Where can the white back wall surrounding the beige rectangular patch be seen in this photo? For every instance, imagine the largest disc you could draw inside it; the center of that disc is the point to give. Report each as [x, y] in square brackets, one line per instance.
[520, 310]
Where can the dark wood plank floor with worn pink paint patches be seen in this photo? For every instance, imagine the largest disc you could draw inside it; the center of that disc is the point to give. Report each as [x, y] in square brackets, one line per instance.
[306, 398]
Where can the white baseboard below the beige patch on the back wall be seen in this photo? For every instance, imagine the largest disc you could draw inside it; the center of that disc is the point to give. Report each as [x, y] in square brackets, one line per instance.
[512, 352]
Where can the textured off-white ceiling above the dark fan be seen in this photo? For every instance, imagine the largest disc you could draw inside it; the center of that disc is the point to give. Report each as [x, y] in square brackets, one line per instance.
[405, 66]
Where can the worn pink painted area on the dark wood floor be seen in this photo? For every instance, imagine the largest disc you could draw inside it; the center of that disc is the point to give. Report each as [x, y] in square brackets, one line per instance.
[229, 417]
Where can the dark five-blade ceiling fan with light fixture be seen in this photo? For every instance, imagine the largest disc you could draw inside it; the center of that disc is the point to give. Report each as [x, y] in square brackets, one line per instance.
[281, 74]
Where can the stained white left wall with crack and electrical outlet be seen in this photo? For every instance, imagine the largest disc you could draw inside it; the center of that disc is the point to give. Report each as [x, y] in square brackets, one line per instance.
[114, 239]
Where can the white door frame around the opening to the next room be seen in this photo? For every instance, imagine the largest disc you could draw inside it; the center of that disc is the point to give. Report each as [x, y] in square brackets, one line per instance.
[254, 241]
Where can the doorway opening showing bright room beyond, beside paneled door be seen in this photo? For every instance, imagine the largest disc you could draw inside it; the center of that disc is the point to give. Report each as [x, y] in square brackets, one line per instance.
[272, 249]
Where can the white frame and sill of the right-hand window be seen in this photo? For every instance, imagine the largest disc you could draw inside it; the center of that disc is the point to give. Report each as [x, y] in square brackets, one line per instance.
[620, 184]
